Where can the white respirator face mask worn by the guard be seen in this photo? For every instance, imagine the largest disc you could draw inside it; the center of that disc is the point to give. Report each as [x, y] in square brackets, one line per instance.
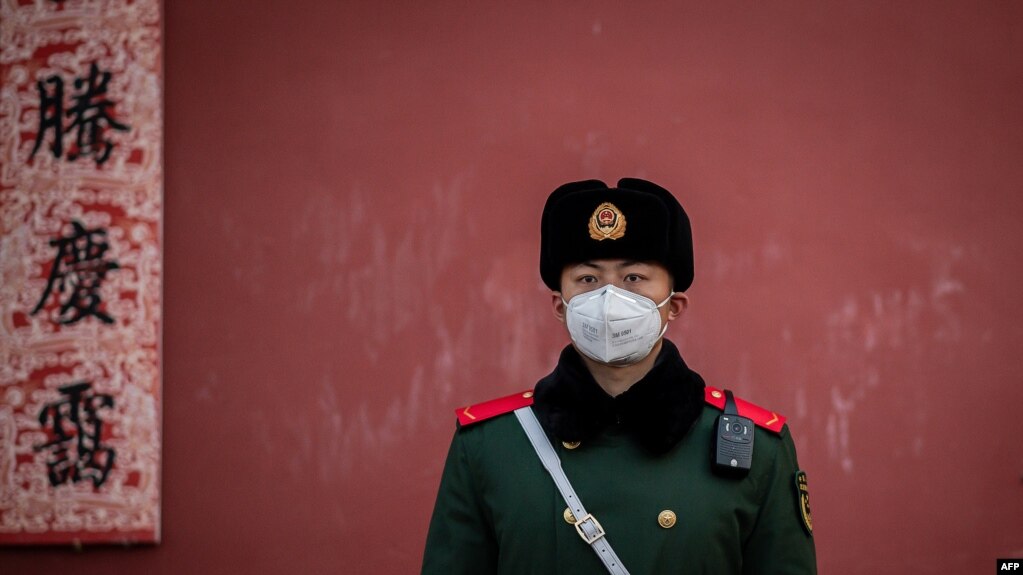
[614, 326]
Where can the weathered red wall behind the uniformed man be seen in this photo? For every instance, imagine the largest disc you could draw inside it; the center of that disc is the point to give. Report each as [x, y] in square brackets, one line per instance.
[353, 194]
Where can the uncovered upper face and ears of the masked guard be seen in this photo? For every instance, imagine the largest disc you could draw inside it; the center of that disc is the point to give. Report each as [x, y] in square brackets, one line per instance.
[650, 280]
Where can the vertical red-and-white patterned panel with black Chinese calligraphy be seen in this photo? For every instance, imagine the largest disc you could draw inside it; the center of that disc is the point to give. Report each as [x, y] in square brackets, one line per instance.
[81, 191]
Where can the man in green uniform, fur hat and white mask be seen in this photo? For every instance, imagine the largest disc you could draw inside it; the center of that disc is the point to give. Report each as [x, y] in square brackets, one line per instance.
[643, 441]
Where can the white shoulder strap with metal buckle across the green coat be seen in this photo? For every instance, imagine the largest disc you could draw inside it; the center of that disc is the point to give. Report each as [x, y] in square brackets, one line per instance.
[587, 525]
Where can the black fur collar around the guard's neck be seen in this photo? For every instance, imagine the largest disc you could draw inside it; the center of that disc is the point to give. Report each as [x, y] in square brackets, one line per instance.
[658, 410]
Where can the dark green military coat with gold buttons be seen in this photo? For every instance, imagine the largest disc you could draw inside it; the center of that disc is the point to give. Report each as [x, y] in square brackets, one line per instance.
[499, 511]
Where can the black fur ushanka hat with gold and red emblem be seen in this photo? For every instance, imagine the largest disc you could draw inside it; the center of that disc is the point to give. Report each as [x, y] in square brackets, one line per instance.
[638, 220]
